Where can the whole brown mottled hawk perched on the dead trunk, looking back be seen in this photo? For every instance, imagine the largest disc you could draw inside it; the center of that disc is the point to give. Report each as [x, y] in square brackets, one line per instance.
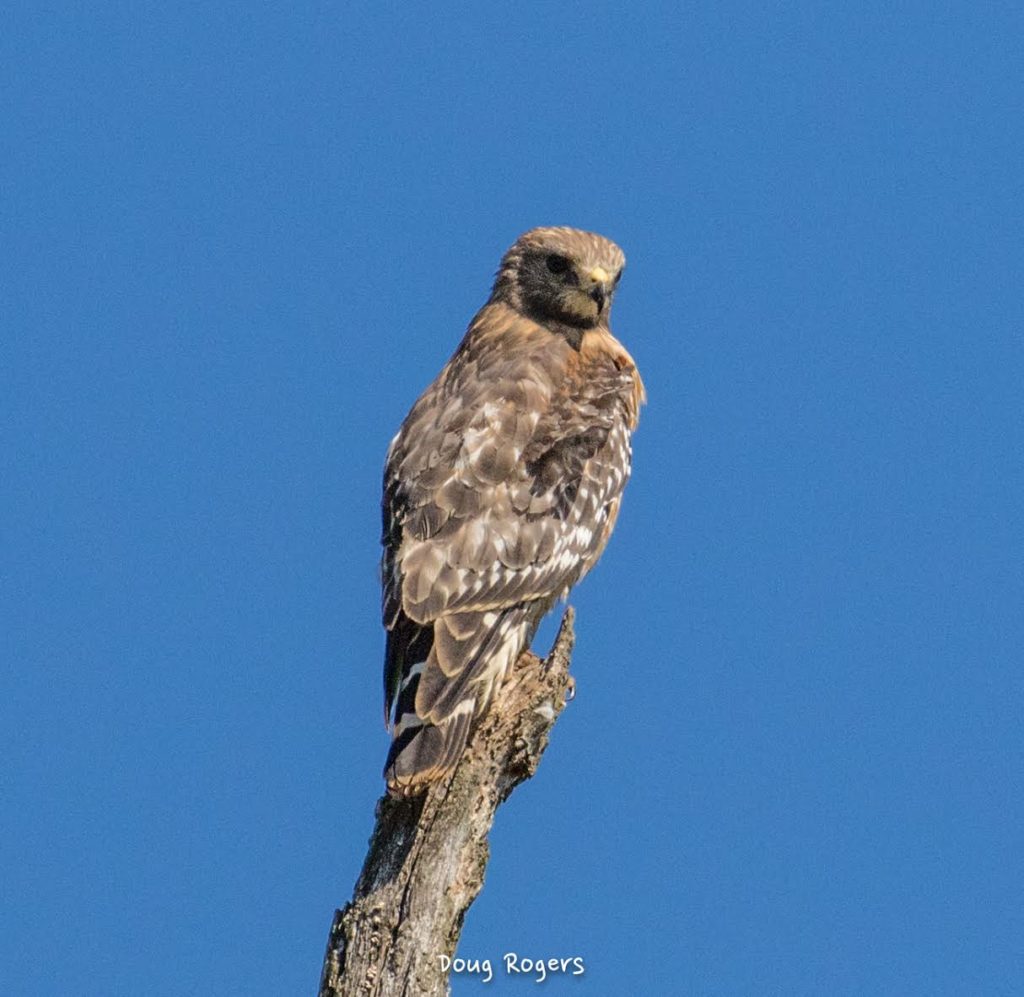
[501, 491]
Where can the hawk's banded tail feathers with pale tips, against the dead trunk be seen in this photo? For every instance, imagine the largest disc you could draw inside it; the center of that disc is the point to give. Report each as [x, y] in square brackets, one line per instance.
[440, 699]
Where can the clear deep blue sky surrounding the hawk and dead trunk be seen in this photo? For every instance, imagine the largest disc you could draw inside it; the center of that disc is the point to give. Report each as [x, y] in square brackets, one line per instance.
[238, 240]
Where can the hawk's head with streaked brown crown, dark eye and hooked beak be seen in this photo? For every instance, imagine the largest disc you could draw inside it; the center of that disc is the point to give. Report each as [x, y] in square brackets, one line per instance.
[561, 275]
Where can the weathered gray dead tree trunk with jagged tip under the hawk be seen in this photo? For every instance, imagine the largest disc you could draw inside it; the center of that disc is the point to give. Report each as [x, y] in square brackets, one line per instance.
[429, 855]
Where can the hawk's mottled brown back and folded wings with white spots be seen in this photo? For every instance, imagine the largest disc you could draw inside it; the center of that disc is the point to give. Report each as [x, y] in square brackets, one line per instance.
[500, 490]
